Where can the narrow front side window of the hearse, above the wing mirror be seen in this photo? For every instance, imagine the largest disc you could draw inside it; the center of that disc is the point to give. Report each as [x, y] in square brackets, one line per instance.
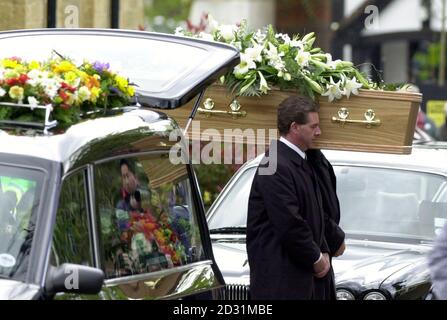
[71, 242]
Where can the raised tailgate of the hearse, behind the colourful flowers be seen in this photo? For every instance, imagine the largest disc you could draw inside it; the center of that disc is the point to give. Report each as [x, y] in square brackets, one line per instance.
[168, 70]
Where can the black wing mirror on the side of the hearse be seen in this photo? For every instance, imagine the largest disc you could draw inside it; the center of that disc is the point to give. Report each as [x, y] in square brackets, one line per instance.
[73, 278]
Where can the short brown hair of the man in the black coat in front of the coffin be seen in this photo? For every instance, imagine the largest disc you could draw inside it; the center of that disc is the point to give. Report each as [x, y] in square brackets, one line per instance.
[294, 109]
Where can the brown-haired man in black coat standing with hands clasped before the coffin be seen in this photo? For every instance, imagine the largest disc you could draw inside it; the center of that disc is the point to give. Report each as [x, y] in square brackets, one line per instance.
[286, 243]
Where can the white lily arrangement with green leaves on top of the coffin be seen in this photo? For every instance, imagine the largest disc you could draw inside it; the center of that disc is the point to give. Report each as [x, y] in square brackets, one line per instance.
[274, 60]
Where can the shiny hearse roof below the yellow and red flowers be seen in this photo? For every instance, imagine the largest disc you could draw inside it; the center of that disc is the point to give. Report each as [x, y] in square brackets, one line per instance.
[136, 130]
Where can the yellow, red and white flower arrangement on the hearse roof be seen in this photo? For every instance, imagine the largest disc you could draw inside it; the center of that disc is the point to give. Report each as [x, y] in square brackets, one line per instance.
[59, 84]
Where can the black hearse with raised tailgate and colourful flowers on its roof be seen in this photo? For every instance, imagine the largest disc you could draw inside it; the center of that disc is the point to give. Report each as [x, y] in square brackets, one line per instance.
[98, 210]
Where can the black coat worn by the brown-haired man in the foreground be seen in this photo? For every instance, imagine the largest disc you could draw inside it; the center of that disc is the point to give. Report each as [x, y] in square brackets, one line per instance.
[285, 230]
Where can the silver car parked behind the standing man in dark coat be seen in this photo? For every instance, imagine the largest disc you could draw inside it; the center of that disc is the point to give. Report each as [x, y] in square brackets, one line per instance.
[392, 207]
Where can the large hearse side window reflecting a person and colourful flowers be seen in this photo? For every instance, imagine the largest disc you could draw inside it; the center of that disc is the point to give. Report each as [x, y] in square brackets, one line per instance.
[146, 214]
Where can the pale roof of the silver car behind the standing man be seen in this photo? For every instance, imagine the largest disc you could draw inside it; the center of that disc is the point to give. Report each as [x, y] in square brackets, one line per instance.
[427, 158]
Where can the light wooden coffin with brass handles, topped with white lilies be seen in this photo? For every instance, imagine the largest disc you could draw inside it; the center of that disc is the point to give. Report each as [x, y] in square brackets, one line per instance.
[373, 121]
